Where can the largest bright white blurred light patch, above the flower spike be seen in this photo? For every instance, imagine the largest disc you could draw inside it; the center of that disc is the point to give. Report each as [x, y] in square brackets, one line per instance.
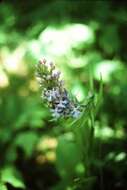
[60, 41]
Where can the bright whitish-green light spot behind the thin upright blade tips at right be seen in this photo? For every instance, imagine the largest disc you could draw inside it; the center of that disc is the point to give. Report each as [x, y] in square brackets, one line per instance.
[105, 68]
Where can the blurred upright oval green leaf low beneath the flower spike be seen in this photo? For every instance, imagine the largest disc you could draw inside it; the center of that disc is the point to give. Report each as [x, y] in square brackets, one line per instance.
[68, 156]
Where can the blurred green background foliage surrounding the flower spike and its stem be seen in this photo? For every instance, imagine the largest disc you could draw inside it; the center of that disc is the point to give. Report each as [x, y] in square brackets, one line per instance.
[80, 36]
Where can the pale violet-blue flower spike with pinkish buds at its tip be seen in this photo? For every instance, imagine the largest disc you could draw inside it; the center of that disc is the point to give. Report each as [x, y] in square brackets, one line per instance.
[54, 93]
